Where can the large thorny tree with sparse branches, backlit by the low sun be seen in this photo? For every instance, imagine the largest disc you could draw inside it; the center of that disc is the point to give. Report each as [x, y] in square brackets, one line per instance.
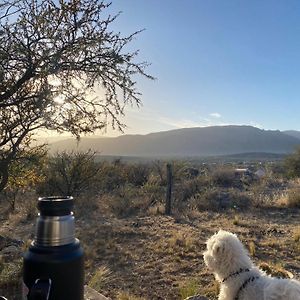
[63, 69]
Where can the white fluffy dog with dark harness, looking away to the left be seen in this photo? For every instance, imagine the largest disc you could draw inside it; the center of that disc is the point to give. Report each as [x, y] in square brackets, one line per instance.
[227, 258]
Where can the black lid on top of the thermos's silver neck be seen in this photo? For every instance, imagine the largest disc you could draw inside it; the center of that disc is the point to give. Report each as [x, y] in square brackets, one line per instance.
[55, 205]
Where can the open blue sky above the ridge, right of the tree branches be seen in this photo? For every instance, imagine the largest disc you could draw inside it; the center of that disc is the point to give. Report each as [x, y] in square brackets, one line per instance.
[216, 62]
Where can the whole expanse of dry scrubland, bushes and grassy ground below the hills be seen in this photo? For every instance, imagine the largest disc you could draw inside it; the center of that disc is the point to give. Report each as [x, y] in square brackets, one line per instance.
[133, 250]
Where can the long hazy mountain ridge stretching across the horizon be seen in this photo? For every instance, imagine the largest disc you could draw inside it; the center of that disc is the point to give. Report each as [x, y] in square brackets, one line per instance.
[188, 142]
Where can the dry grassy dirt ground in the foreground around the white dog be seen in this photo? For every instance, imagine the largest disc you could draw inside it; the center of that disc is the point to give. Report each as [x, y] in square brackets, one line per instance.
[160, 257]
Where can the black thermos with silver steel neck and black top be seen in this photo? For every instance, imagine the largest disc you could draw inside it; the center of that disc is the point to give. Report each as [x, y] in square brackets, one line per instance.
[53, 267]
